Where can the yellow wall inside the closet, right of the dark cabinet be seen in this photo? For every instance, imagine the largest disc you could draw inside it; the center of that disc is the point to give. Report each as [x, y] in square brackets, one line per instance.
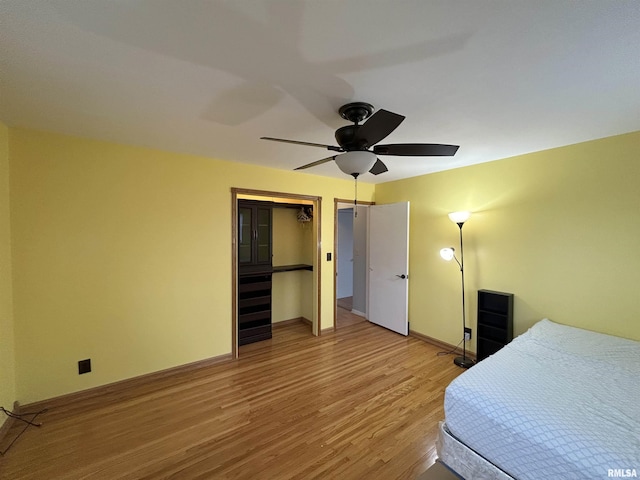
[292, 292]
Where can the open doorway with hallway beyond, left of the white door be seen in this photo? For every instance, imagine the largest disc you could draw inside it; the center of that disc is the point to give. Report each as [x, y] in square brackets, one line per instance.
[351, 252]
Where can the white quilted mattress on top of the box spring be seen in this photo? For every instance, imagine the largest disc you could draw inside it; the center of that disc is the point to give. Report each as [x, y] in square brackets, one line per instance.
[557, 402]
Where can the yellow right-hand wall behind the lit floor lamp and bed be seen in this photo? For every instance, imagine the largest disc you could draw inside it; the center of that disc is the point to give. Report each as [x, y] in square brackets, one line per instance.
[560, 229]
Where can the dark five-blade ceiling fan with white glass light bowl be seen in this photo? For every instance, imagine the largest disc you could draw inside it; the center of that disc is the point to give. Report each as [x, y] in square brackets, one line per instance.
[358, 150]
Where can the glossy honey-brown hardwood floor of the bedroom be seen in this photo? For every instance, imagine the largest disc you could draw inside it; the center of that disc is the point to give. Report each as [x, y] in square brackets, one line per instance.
[360, 402]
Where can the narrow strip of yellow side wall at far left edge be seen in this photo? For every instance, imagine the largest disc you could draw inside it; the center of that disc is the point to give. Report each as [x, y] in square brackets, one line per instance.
[7, 362]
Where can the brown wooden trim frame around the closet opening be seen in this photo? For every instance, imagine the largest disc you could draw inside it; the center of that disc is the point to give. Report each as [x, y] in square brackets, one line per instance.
[317, 214]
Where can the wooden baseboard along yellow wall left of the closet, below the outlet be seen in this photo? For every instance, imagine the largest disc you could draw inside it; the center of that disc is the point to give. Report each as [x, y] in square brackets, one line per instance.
[123, 385]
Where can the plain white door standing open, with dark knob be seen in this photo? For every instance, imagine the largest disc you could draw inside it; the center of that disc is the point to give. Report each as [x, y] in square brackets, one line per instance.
[389, 266]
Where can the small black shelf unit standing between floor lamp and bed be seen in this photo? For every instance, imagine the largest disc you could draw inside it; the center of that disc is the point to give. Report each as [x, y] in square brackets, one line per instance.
[495, 322]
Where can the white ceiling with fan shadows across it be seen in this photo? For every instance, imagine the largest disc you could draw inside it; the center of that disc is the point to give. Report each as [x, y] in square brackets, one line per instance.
[209, 77]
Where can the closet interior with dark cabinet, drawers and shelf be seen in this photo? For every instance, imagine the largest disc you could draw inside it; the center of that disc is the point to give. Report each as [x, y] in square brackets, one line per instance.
[275, 256]
